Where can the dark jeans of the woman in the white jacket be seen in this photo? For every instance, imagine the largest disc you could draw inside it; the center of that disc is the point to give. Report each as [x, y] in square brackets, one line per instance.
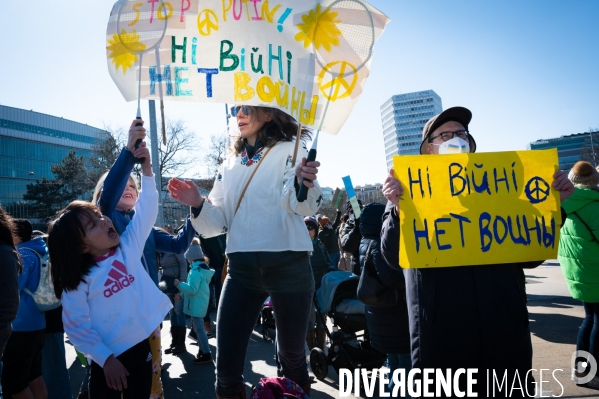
[252, 277]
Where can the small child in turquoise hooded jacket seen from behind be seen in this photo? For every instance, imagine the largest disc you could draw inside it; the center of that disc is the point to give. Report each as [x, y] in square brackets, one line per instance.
[196, 294]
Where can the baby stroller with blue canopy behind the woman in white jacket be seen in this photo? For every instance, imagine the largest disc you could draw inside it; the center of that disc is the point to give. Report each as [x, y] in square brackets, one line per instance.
[337, 299]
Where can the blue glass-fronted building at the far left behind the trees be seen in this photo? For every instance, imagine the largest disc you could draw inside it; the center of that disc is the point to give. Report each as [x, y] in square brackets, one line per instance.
[30, 142]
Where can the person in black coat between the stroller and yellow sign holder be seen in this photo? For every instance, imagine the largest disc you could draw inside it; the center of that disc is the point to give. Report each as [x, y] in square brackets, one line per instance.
[387, 326]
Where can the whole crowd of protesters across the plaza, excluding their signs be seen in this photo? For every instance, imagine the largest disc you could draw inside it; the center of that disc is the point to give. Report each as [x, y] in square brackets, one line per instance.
[117, 276]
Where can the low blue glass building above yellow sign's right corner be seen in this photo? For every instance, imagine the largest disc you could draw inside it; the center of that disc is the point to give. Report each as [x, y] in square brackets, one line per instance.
[570, 148]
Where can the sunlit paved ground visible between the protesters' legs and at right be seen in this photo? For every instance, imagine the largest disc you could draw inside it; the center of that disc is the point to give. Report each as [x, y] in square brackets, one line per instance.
[554, 321]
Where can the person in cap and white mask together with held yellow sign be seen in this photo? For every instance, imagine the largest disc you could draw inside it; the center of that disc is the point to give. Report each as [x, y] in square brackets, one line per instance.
[466, 226]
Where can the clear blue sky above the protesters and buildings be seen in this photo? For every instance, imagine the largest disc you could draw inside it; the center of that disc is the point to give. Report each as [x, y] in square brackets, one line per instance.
[526, 69]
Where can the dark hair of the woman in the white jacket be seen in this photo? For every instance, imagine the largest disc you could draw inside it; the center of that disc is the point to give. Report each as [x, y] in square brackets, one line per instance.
[280, 127]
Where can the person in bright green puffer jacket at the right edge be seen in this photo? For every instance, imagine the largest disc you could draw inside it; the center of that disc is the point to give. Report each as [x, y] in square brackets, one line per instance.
[579, 254]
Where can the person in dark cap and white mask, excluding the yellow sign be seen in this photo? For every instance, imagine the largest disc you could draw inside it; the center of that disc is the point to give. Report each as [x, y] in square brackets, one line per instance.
[468, 317]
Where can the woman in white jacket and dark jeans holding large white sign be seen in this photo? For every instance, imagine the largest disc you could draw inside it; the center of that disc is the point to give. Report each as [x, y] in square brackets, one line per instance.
[267, 241]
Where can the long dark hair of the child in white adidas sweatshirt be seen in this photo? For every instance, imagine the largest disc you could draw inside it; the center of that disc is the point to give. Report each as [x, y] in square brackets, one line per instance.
[66, 244]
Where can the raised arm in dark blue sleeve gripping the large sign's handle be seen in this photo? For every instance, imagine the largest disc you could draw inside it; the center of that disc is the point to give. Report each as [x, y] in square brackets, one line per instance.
[119, 173]
